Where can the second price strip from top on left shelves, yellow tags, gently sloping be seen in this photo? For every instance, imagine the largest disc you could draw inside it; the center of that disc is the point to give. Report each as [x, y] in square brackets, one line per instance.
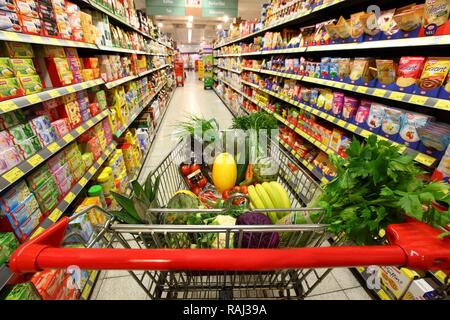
[28, 100]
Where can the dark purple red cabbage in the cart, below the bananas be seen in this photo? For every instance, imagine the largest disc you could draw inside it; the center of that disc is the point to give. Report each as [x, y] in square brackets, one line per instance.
[256, 239]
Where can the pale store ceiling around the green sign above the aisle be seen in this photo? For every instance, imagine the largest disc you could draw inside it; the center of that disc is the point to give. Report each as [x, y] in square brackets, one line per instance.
[203, 28]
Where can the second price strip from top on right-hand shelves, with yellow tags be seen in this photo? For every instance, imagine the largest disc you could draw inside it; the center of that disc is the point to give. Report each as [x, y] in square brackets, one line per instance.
[420, 100]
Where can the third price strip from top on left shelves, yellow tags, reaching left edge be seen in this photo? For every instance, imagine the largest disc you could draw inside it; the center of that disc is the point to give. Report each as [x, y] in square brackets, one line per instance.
[10, 177]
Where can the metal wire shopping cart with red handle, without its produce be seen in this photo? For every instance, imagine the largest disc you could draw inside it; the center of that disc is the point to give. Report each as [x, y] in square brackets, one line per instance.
[173, 269]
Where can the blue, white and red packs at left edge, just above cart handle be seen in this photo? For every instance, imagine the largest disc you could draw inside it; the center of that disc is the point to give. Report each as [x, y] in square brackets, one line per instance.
[21, 208]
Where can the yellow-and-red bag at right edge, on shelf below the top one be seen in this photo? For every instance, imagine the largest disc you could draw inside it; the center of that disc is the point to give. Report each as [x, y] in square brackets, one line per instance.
[434, 73]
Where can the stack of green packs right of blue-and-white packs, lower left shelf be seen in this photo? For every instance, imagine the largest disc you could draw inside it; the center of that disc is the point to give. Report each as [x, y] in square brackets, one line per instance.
[42, 183]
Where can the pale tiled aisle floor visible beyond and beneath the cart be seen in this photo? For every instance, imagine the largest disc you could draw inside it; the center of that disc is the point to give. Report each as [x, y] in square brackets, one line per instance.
[340, 284]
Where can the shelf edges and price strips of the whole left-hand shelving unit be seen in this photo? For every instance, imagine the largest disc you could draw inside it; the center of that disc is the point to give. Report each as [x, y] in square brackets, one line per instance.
[12, 176]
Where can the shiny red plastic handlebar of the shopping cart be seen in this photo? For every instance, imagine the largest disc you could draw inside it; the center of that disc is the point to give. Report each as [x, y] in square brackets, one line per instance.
[412, 244]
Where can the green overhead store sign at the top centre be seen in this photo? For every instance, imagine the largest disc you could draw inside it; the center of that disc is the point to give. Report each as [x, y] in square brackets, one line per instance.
[196, 8]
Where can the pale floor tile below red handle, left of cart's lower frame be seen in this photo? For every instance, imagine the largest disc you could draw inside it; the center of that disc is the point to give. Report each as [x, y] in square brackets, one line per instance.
[122, 288]
